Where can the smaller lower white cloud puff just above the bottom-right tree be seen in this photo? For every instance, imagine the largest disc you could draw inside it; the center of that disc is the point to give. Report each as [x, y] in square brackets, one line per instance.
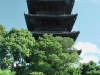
[88, 58]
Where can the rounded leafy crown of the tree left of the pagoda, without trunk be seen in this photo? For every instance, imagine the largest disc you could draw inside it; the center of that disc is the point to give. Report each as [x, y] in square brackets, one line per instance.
[19, 41]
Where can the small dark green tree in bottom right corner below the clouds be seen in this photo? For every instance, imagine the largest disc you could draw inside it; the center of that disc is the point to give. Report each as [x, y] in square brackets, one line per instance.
[90, 68]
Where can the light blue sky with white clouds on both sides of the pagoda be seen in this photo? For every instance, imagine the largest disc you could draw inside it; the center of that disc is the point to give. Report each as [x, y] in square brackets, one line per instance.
[88, 23]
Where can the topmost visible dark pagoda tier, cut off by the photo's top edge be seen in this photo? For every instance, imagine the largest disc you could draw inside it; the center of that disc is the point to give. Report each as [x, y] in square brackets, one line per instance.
[50, 6]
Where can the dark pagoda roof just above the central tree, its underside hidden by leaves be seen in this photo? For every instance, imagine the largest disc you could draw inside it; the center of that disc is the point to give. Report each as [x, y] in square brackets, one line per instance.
[72, 35]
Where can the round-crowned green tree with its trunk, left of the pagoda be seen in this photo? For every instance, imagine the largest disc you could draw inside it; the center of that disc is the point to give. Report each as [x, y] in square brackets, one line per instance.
[19, 43]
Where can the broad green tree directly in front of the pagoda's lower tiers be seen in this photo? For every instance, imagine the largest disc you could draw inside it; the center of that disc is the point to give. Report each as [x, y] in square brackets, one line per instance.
[51, 57]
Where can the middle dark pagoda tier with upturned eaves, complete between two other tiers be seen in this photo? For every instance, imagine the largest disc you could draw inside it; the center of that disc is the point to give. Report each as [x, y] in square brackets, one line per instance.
[50, 22]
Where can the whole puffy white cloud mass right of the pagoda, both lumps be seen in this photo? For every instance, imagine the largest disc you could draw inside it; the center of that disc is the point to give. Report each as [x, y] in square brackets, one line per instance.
[88, 48]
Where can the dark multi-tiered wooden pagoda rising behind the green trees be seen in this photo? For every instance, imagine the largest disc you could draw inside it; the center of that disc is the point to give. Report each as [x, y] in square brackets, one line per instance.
[51, 17]
